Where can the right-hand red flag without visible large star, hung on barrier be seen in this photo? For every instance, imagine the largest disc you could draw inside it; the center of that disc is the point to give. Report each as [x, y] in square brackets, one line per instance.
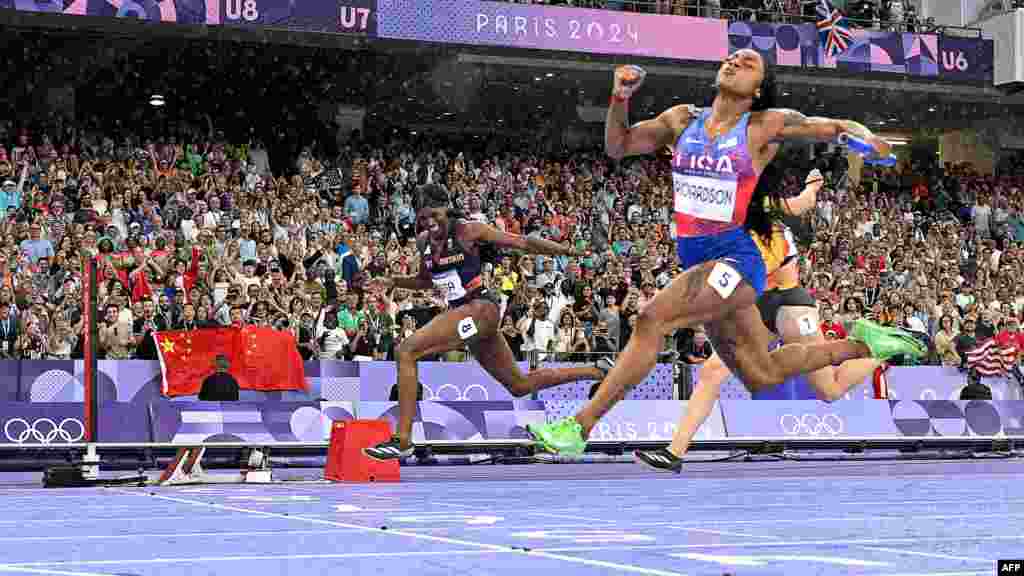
[269, 361]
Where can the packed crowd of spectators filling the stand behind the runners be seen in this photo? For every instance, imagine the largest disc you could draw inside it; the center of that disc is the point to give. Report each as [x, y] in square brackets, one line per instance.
[199, 231]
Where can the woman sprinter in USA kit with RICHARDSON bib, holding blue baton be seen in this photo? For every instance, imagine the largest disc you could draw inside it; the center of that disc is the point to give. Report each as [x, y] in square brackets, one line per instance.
[718, 156]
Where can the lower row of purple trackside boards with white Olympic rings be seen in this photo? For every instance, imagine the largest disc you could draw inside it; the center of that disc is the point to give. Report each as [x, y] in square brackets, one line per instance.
[26, 424]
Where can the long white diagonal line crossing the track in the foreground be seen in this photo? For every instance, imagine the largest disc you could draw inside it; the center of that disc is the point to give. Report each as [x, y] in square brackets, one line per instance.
[429, 538]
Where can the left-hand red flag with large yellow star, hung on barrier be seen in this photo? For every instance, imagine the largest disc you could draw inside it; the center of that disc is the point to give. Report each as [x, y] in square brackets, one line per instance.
[188, 358]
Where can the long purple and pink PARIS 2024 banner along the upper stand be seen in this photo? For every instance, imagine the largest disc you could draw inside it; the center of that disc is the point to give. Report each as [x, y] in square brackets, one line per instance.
[563, 29]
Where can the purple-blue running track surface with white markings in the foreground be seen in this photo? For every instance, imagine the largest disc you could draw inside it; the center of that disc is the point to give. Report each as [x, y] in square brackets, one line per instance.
[952, 519]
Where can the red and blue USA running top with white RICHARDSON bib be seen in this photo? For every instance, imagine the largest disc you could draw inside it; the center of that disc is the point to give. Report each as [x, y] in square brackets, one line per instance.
[713, 180]
